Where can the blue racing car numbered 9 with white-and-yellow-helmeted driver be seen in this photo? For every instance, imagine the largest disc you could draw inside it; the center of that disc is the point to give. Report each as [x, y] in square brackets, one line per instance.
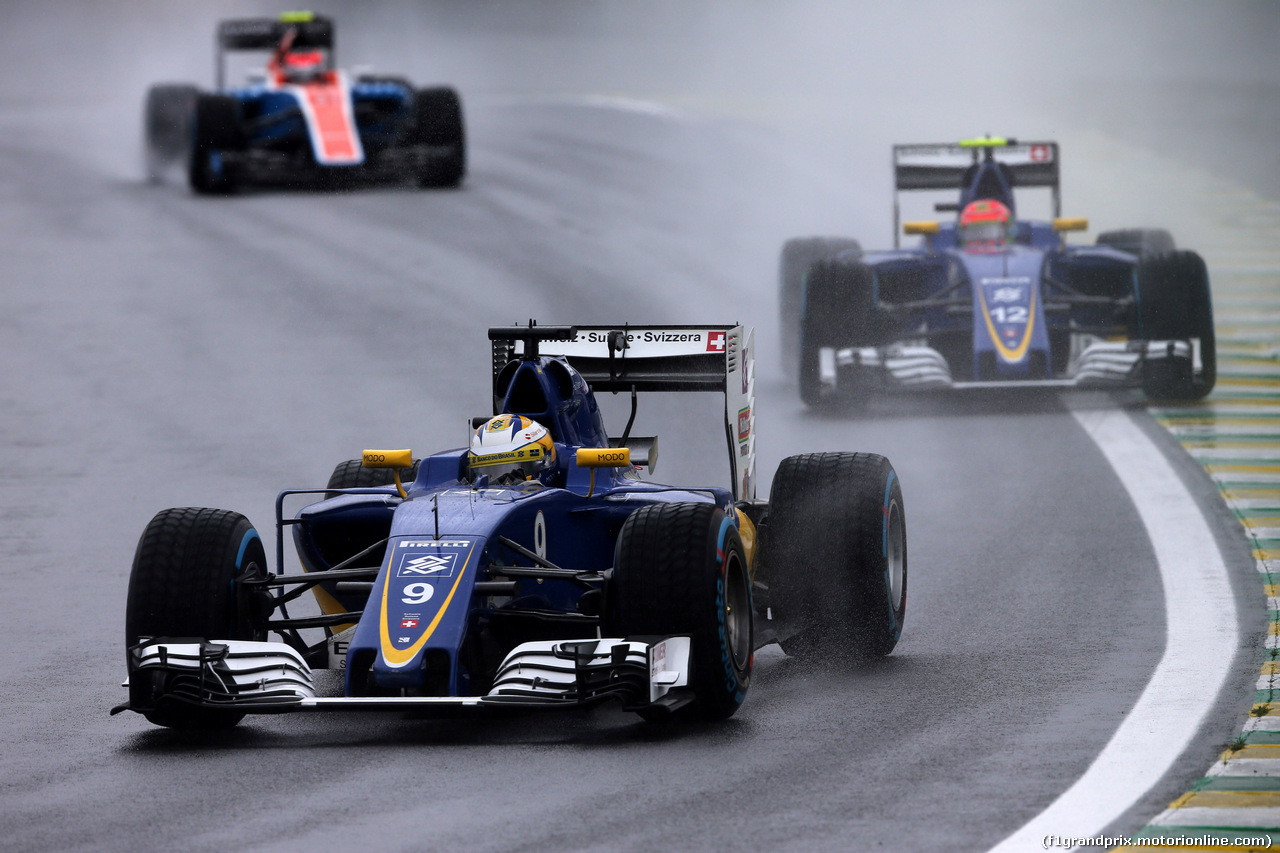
[534, 569]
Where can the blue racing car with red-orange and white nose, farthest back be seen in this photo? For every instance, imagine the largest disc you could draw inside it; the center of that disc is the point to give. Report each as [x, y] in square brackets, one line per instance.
[300, 121]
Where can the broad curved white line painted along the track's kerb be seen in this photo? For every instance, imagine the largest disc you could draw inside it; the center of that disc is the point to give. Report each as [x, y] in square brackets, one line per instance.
[1200, 644]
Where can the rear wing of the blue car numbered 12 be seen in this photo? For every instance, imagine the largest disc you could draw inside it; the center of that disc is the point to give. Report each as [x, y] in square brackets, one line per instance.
[952, 166]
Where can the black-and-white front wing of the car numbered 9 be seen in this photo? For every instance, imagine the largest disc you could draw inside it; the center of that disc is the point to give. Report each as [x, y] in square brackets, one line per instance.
[272, 678]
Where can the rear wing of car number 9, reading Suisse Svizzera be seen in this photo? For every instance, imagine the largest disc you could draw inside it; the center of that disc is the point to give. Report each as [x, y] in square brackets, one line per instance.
[665, 358]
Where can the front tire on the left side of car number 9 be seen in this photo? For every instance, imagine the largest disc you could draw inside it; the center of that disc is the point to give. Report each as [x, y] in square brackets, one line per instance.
[186, 583]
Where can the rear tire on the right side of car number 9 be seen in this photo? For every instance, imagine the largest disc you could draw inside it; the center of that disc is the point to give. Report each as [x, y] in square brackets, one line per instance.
[835, 556]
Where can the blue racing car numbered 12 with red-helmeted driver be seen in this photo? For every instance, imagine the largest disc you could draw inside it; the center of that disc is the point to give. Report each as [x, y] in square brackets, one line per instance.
[990, 299]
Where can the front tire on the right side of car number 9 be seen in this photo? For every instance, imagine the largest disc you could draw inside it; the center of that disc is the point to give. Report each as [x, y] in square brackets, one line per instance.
[682, 569]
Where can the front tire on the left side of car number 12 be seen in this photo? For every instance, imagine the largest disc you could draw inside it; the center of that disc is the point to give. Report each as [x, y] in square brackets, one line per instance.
[838, 311]
